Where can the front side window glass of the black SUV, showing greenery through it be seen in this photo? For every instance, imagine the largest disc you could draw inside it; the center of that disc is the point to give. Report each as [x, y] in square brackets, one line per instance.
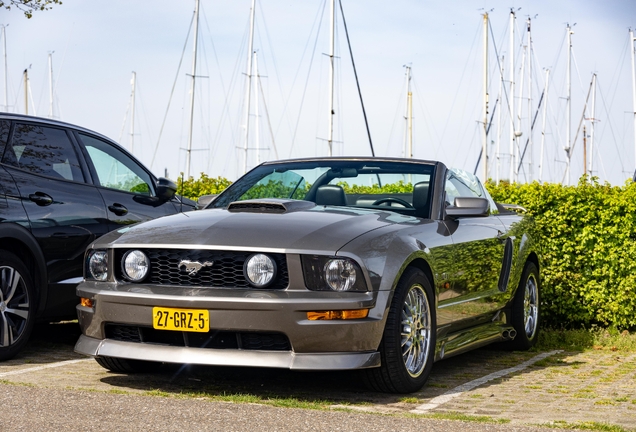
[115, 169]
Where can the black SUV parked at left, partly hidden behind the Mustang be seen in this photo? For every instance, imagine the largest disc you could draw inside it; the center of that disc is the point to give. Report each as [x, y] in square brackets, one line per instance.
[61, 187]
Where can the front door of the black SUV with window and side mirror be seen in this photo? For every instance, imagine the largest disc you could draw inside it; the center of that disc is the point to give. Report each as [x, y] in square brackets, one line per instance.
[128, 190]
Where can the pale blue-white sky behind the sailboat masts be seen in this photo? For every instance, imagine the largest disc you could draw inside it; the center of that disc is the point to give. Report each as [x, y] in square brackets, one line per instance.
[97, 45]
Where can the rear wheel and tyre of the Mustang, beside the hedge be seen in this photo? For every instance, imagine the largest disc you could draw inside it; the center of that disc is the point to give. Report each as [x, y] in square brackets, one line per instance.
[525, 309]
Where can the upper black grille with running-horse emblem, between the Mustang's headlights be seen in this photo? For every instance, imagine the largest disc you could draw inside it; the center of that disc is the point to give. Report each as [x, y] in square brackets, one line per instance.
[225, 271]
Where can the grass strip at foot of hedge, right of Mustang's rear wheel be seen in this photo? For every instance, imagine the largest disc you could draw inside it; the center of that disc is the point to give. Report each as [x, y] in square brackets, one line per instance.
[587, 339]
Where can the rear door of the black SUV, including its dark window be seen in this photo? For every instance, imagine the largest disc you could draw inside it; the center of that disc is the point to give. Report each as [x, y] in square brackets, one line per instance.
[65, 213]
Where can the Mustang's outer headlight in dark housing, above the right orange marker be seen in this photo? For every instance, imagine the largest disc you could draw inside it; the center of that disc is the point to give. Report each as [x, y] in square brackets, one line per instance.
[316, 277]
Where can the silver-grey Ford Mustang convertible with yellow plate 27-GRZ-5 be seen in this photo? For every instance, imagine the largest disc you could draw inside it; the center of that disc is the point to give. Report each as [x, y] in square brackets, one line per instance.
[382, 265]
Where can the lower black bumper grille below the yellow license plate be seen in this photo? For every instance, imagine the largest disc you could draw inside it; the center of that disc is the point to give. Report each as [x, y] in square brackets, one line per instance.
[214, 339]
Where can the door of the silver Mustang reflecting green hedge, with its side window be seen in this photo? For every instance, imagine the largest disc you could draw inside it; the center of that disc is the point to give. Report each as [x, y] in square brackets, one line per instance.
[478, 250]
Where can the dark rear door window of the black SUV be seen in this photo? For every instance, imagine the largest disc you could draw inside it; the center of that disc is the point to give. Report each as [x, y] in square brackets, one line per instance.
[43, 150]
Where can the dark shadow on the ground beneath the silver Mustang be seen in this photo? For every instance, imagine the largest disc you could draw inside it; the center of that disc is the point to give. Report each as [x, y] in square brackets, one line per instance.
[324, 388]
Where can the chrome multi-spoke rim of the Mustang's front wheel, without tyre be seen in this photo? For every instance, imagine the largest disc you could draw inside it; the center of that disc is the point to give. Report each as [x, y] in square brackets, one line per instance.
[416, 330]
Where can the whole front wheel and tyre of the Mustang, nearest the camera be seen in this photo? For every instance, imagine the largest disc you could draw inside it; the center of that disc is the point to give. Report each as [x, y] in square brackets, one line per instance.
[408, 343]
